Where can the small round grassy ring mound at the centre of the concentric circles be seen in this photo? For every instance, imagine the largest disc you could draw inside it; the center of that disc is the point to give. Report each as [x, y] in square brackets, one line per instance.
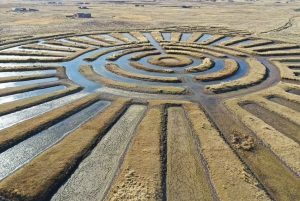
[170, 60]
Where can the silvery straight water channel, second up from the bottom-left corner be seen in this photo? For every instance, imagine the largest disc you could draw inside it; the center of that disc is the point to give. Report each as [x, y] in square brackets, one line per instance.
[13, 118]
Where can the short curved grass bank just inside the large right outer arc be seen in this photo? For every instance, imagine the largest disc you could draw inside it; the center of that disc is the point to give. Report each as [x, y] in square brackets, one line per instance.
[230, 68]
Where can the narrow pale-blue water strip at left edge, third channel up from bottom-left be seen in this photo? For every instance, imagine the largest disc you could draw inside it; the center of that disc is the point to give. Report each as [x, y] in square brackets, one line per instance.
[29, 94]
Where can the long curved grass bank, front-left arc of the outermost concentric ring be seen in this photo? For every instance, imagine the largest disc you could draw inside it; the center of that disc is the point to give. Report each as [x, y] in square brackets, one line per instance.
[89, 73]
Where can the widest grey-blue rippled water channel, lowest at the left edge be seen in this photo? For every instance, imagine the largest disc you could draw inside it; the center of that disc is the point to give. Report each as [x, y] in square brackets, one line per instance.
[17, 156]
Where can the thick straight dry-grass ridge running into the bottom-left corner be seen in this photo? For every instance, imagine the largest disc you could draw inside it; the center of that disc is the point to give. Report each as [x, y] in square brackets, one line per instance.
[43, 173]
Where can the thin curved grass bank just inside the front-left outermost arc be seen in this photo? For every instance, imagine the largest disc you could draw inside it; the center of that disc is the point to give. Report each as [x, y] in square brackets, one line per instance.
[114, 68]
